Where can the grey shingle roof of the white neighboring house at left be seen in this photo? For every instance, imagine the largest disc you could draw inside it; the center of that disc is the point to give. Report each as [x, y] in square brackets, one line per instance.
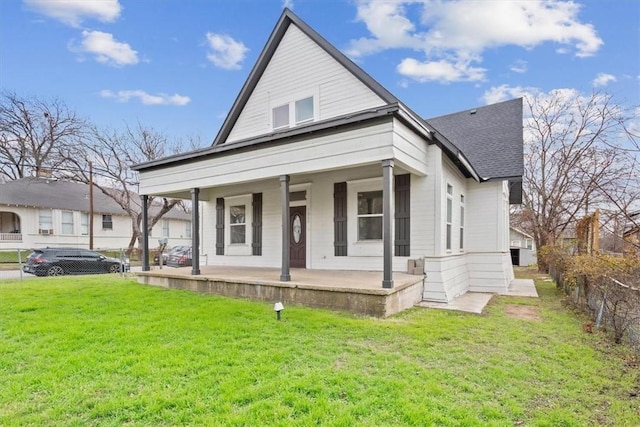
[65, 195]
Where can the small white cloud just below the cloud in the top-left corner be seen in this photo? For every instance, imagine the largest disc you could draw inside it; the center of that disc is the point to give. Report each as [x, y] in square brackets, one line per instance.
[105, 49]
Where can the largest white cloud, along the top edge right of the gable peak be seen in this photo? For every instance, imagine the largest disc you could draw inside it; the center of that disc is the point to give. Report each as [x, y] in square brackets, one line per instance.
[456, 33]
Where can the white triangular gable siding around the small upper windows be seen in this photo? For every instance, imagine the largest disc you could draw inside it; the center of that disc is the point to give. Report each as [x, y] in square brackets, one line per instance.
[287, 77]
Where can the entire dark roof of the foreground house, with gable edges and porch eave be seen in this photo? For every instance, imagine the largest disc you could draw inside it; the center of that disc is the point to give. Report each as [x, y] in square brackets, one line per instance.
[451, 137]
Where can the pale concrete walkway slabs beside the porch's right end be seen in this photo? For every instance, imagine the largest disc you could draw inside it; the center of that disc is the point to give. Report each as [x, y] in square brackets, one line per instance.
[475, 302]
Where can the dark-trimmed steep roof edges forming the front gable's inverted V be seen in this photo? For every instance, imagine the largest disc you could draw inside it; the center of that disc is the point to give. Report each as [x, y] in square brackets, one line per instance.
[286, 19]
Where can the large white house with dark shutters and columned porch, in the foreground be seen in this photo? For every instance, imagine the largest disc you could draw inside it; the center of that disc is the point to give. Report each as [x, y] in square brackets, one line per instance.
[318, 166]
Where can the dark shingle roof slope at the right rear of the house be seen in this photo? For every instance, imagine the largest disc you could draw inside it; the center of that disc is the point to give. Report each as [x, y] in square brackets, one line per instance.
[490, 137]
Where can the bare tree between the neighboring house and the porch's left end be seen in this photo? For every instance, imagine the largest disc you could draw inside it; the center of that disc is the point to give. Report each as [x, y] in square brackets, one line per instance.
[111, 153]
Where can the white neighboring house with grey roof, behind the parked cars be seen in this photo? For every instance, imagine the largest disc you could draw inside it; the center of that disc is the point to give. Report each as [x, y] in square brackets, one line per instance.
[39, 212]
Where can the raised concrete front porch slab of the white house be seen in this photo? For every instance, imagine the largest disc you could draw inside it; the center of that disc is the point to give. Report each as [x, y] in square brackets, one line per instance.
[355, 291]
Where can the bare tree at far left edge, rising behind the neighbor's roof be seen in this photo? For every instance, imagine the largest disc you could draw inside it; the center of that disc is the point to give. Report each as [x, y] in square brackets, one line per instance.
[32, 134]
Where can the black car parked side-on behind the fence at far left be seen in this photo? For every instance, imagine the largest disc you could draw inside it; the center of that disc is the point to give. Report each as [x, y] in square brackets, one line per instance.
[59, 261]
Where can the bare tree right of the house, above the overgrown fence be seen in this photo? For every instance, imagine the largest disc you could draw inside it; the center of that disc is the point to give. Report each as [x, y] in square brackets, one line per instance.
[577, 158]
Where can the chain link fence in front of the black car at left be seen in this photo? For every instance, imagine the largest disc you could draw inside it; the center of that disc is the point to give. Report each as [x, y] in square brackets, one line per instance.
[45, 262]
